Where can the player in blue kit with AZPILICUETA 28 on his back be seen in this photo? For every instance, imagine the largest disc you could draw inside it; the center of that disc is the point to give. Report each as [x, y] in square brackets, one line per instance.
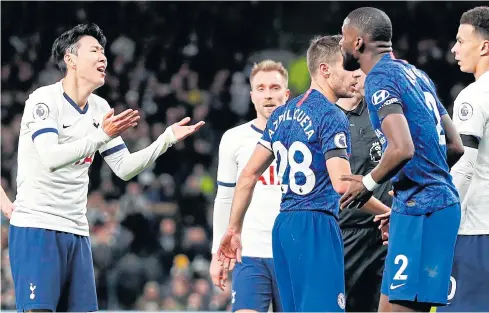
[309, 137]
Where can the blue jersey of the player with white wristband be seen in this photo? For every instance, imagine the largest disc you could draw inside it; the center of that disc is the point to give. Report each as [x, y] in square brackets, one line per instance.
[424, 184]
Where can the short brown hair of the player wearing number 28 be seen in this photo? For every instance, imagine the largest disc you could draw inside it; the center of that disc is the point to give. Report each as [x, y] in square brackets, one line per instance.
[322, 49]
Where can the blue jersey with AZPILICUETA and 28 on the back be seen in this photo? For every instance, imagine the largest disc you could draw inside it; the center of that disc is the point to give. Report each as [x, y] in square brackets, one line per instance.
[300, 134]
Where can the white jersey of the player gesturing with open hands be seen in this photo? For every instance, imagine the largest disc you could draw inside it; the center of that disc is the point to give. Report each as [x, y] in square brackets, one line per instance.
[56, 198]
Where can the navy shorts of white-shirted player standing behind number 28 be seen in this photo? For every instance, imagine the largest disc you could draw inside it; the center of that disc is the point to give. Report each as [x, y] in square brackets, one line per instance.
[254, 285]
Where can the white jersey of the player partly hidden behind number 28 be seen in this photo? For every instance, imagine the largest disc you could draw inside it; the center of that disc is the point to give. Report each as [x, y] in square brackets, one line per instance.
[236, 148]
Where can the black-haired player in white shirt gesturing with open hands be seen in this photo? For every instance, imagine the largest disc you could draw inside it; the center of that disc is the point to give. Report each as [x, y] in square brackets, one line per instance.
[63, 125]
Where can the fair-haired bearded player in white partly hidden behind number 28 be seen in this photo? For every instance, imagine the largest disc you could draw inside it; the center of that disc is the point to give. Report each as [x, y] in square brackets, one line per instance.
[253, 281]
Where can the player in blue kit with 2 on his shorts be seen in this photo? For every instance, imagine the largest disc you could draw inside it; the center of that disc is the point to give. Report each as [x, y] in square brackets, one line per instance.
[420, 145]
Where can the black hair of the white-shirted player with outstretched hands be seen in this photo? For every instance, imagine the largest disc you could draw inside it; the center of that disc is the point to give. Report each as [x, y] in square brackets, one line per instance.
[69, 41]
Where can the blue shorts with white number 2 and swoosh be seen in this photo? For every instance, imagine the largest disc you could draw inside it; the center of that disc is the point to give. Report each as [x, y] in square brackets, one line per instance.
[420, 255]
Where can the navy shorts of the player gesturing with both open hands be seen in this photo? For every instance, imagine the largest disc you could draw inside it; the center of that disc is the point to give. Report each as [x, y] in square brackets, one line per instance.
[51, 270]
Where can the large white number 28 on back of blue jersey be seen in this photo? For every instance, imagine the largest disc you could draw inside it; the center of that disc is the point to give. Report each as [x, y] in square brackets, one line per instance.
[303, 167]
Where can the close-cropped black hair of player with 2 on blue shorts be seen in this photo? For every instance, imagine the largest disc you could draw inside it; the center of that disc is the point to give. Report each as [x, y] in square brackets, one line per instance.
[372, 22]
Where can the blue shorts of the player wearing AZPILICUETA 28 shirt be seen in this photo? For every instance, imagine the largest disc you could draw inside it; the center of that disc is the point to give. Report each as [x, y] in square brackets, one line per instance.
[309, 262]
